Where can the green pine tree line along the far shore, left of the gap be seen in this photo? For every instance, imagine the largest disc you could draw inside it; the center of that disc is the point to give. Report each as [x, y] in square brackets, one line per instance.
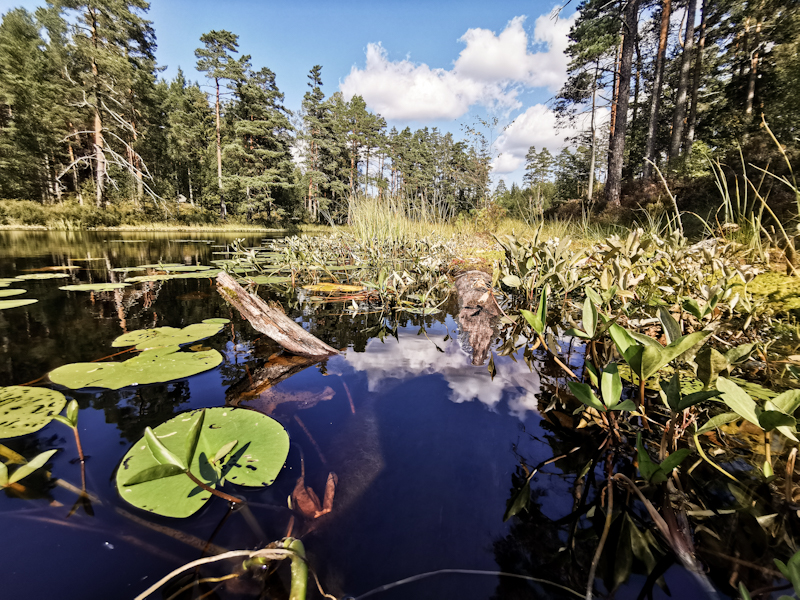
[83, 112]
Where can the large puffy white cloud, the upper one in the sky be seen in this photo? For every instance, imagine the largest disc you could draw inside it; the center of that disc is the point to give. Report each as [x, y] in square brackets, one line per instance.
[490, 71]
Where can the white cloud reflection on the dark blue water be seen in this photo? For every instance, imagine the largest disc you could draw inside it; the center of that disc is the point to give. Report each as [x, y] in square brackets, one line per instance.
[415, 356]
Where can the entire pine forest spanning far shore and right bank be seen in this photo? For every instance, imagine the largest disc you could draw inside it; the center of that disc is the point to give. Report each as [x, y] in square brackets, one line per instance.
[674, 90]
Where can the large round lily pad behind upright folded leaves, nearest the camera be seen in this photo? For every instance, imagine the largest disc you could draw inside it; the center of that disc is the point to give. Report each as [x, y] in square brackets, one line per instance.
[255, 461]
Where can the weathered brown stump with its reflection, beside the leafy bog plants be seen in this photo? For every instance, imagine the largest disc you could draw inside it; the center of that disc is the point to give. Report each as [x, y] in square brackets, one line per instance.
[478, 312]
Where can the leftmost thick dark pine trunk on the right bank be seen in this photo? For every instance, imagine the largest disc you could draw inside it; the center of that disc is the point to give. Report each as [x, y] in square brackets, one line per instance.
[616, 149]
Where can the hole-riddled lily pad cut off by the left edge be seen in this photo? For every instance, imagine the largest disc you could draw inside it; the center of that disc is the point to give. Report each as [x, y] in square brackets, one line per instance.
[27, 409]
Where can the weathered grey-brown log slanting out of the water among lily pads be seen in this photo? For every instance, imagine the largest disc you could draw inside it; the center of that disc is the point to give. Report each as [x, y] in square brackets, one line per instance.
[271, 321]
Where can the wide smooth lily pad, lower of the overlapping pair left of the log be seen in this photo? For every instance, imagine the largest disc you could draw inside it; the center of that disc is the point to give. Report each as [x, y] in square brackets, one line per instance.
[152, 366]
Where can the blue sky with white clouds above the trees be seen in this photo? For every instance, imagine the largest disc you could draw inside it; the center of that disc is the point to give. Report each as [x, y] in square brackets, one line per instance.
[418, 63]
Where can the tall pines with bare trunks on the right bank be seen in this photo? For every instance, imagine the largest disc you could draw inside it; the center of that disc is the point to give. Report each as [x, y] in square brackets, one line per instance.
[678, 74]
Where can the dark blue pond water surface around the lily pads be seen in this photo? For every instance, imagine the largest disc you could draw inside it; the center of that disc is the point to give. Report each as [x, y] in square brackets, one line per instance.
[424, 444]
